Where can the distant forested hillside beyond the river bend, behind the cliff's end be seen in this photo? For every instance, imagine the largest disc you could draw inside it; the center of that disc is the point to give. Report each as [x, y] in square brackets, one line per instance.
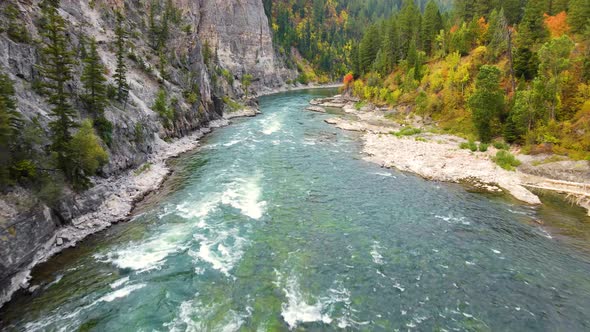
[324, 32]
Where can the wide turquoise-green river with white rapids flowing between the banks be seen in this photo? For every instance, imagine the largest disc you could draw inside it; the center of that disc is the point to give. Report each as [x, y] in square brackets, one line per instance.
[277, 223]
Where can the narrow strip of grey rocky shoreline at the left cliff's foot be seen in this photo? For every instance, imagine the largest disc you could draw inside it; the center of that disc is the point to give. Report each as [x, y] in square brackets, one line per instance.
[122, 194]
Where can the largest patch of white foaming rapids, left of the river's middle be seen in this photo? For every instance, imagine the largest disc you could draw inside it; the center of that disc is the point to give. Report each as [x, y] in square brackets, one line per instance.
[222, 247]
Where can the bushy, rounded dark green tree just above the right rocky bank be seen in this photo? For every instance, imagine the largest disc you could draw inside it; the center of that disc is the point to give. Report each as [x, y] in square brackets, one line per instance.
[487, 101]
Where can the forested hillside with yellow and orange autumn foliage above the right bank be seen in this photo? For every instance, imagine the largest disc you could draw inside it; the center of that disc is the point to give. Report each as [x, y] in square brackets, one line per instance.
[513, 69]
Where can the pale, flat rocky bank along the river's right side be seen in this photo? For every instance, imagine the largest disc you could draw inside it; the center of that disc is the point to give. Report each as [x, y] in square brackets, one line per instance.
[438, 157]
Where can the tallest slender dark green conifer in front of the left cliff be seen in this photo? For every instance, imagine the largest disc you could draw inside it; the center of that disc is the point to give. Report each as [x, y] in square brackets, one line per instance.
[56, 69]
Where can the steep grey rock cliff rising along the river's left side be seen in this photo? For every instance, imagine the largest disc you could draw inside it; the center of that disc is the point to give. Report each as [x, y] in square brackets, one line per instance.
[239, 42]
